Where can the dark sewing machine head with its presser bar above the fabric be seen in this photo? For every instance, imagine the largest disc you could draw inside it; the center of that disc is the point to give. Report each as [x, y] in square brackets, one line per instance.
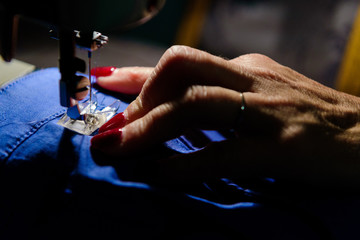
[74, 23]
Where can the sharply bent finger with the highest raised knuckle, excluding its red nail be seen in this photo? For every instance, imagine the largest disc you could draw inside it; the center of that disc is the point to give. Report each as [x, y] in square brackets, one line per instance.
[181, 67]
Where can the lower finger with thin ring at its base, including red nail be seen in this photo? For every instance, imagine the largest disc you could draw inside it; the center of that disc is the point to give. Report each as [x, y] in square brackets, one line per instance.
[202, 107]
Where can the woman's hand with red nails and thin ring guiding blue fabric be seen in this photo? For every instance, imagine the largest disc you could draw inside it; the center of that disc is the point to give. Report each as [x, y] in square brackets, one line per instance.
[292, 127]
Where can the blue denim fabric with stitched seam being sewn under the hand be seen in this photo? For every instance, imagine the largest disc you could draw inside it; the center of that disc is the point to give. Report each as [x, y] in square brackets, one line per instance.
[53, 187]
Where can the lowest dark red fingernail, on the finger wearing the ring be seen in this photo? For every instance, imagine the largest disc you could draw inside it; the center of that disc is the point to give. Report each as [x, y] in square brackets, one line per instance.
[107, 139]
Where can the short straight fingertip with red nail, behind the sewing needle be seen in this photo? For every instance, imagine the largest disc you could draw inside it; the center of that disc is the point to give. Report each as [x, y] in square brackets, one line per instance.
[128, 80]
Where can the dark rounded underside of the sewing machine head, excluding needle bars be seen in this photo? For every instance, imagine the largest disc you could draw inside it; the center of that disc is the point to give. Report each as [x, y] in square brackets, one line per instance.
[84, 16]
